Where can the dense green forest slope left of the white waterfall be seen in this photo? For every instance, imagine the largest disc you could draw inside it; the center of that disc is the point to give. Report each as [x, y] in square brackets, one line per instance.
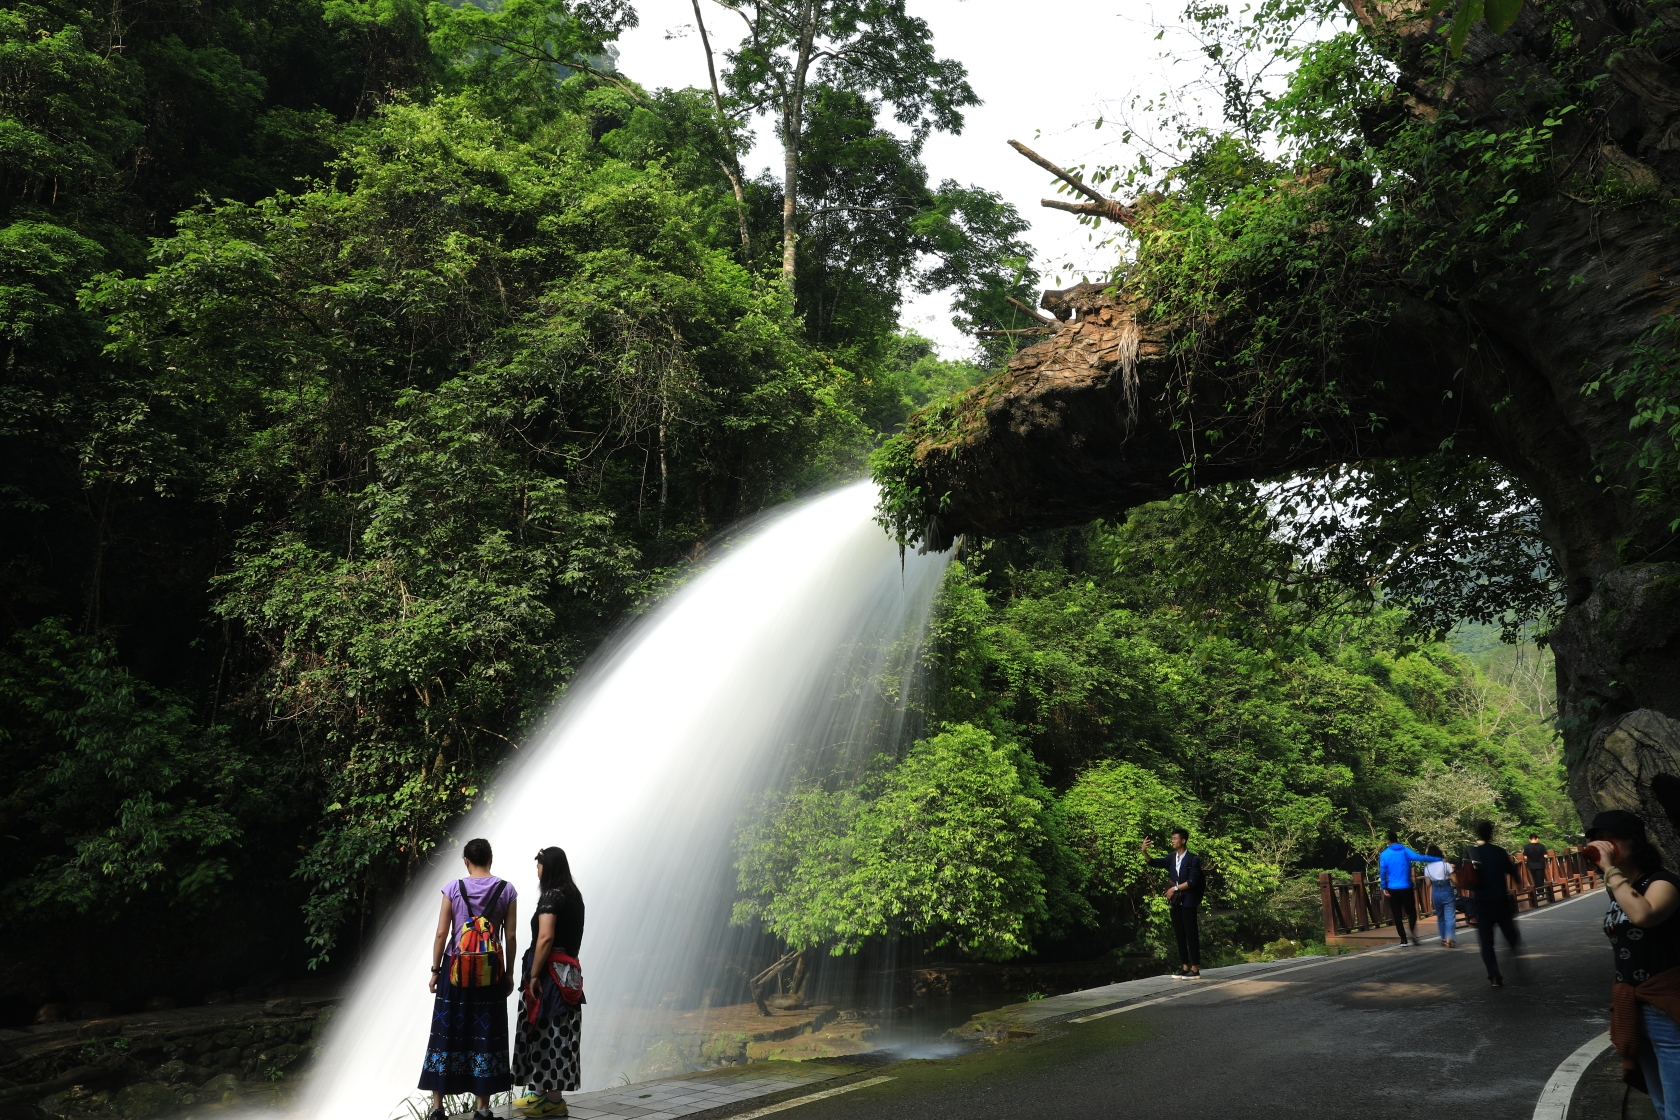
[365, 365]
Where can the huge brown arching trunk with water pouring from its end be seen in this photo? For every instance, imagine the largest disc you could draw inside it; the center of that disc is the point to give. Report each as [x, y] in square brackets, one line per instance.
[1086, 424]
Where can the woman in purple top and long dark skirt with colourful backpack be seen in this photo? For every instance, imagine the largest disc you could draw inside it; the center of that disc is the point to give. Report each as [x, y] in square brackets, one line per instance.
[468, 1052]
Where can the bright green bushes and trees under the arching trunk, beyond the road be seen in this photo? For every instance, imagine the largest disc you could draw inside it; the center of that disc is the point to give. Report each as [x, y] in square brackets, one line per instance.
[1130, 679]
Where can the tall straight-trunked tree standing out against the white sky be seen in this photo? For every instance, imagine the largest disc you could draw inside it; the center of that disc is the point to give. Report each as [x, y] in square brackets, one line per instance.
[871, 48]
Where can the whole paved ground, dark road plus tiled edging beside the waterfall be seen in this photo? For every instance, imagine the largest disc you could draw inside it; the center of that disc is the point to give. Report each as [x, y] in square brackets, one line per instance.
[1313, 1037]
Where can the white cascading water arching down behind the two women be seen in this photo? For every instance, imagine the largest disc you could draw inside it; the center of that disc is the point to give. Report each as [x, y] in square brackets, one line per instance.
[774, 654]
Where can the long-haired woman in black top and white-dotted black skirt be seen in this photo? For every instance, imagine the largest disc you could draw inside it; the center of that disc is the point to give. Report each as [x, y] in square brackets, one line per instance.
[550, 1030]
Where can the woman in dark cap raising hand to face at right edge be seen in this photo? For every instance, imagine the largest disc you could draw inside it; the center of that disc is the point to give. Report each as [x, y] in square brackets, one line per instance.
[1646, 941]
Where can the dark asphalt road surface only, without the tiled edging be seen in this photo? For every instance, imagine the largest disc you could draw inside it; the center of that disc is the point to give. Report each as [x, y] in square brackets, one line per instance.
[1392, 1034]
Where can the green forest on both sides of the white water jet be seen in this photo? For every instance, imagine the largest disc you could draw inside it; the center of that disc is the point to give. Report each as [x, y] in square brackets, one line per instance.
[369, 362]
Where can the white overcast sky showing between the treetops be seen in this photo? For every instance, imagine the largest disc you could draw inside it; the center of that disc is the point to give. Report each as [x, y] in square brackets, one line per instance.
[1044, 76]
